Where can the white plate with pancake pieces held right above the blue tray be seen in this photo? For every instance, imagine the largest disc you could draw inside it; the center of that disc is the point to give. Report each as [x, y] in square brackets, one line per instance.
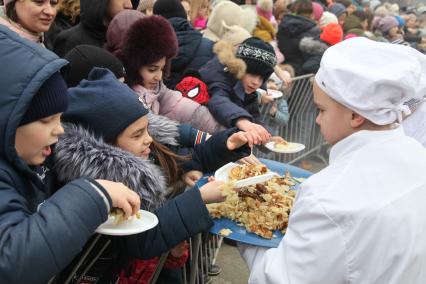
[243, 175]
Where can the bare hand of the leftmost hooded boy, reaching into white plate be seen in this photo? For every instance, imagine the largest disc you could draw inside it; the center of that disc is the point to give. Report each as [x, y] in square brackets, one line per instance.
[122, 197]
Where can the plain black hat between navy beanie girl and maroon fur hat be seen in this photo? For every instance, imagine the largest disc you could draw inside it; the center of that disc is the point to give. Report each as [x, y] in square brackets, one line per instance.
[83, 58]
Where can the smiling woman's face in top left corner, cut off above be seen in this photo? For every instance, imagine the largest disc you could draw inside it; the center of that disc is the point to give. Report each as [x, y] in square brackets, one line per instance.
[36, 15]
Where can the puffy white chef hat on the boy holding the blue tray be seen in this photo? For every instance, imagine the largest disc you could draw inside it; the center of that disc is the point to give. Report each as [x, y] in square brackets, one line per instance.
[374, 79]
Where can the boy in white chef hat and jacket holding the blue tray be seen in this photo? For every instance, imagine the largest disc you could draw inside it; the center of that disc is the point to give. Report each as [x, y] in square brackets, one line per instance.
[363, 218]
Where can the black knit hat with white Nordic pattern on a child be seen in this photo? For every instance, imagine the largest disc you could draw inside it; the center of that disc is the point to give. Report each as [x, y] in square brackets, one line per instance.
[259, 57]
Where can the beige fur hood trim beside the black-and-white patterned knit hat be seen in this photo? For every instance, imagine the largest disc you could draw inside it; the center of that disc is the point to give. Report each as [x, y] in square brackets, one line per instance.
[226, 55]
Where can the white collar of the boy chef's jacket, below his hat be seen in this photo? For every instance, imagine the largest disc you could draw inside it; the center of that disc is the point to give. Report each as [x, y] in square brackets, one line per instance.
[362, 139]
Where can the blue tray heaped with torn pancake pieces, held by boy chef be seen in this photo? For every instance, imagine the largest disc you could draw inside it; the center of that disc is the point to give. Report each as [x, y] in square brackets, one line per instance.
[244, 216]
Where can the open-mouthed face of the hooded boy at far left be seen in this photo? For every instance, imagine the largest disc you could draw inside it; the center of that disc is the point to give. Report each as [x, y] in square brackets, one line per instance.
[33, 140]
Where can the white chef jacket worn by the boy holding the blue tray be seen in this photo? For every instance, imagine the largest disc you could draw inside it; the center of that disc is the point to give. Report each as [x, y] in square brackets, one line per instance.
[360, 220]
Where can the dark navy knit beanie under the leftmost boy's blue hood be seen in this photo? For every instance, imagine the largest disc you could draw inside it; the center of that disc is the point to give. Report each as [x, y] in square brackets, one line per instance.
[51, 98]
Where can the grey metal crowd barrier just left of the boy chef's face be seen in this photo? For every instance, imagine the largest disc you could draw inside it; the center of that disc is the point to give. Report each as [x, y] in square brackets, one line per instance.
[301, 127]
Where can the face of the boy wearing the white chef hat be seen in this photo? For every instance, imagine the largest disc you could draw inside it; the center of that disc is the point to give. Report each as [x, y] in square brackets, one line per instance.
[334, 119]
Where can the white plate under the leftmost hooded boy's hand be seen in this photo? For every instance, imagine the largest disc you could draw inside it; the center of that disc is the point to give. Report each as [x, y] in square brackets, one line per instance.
[130, 227]
